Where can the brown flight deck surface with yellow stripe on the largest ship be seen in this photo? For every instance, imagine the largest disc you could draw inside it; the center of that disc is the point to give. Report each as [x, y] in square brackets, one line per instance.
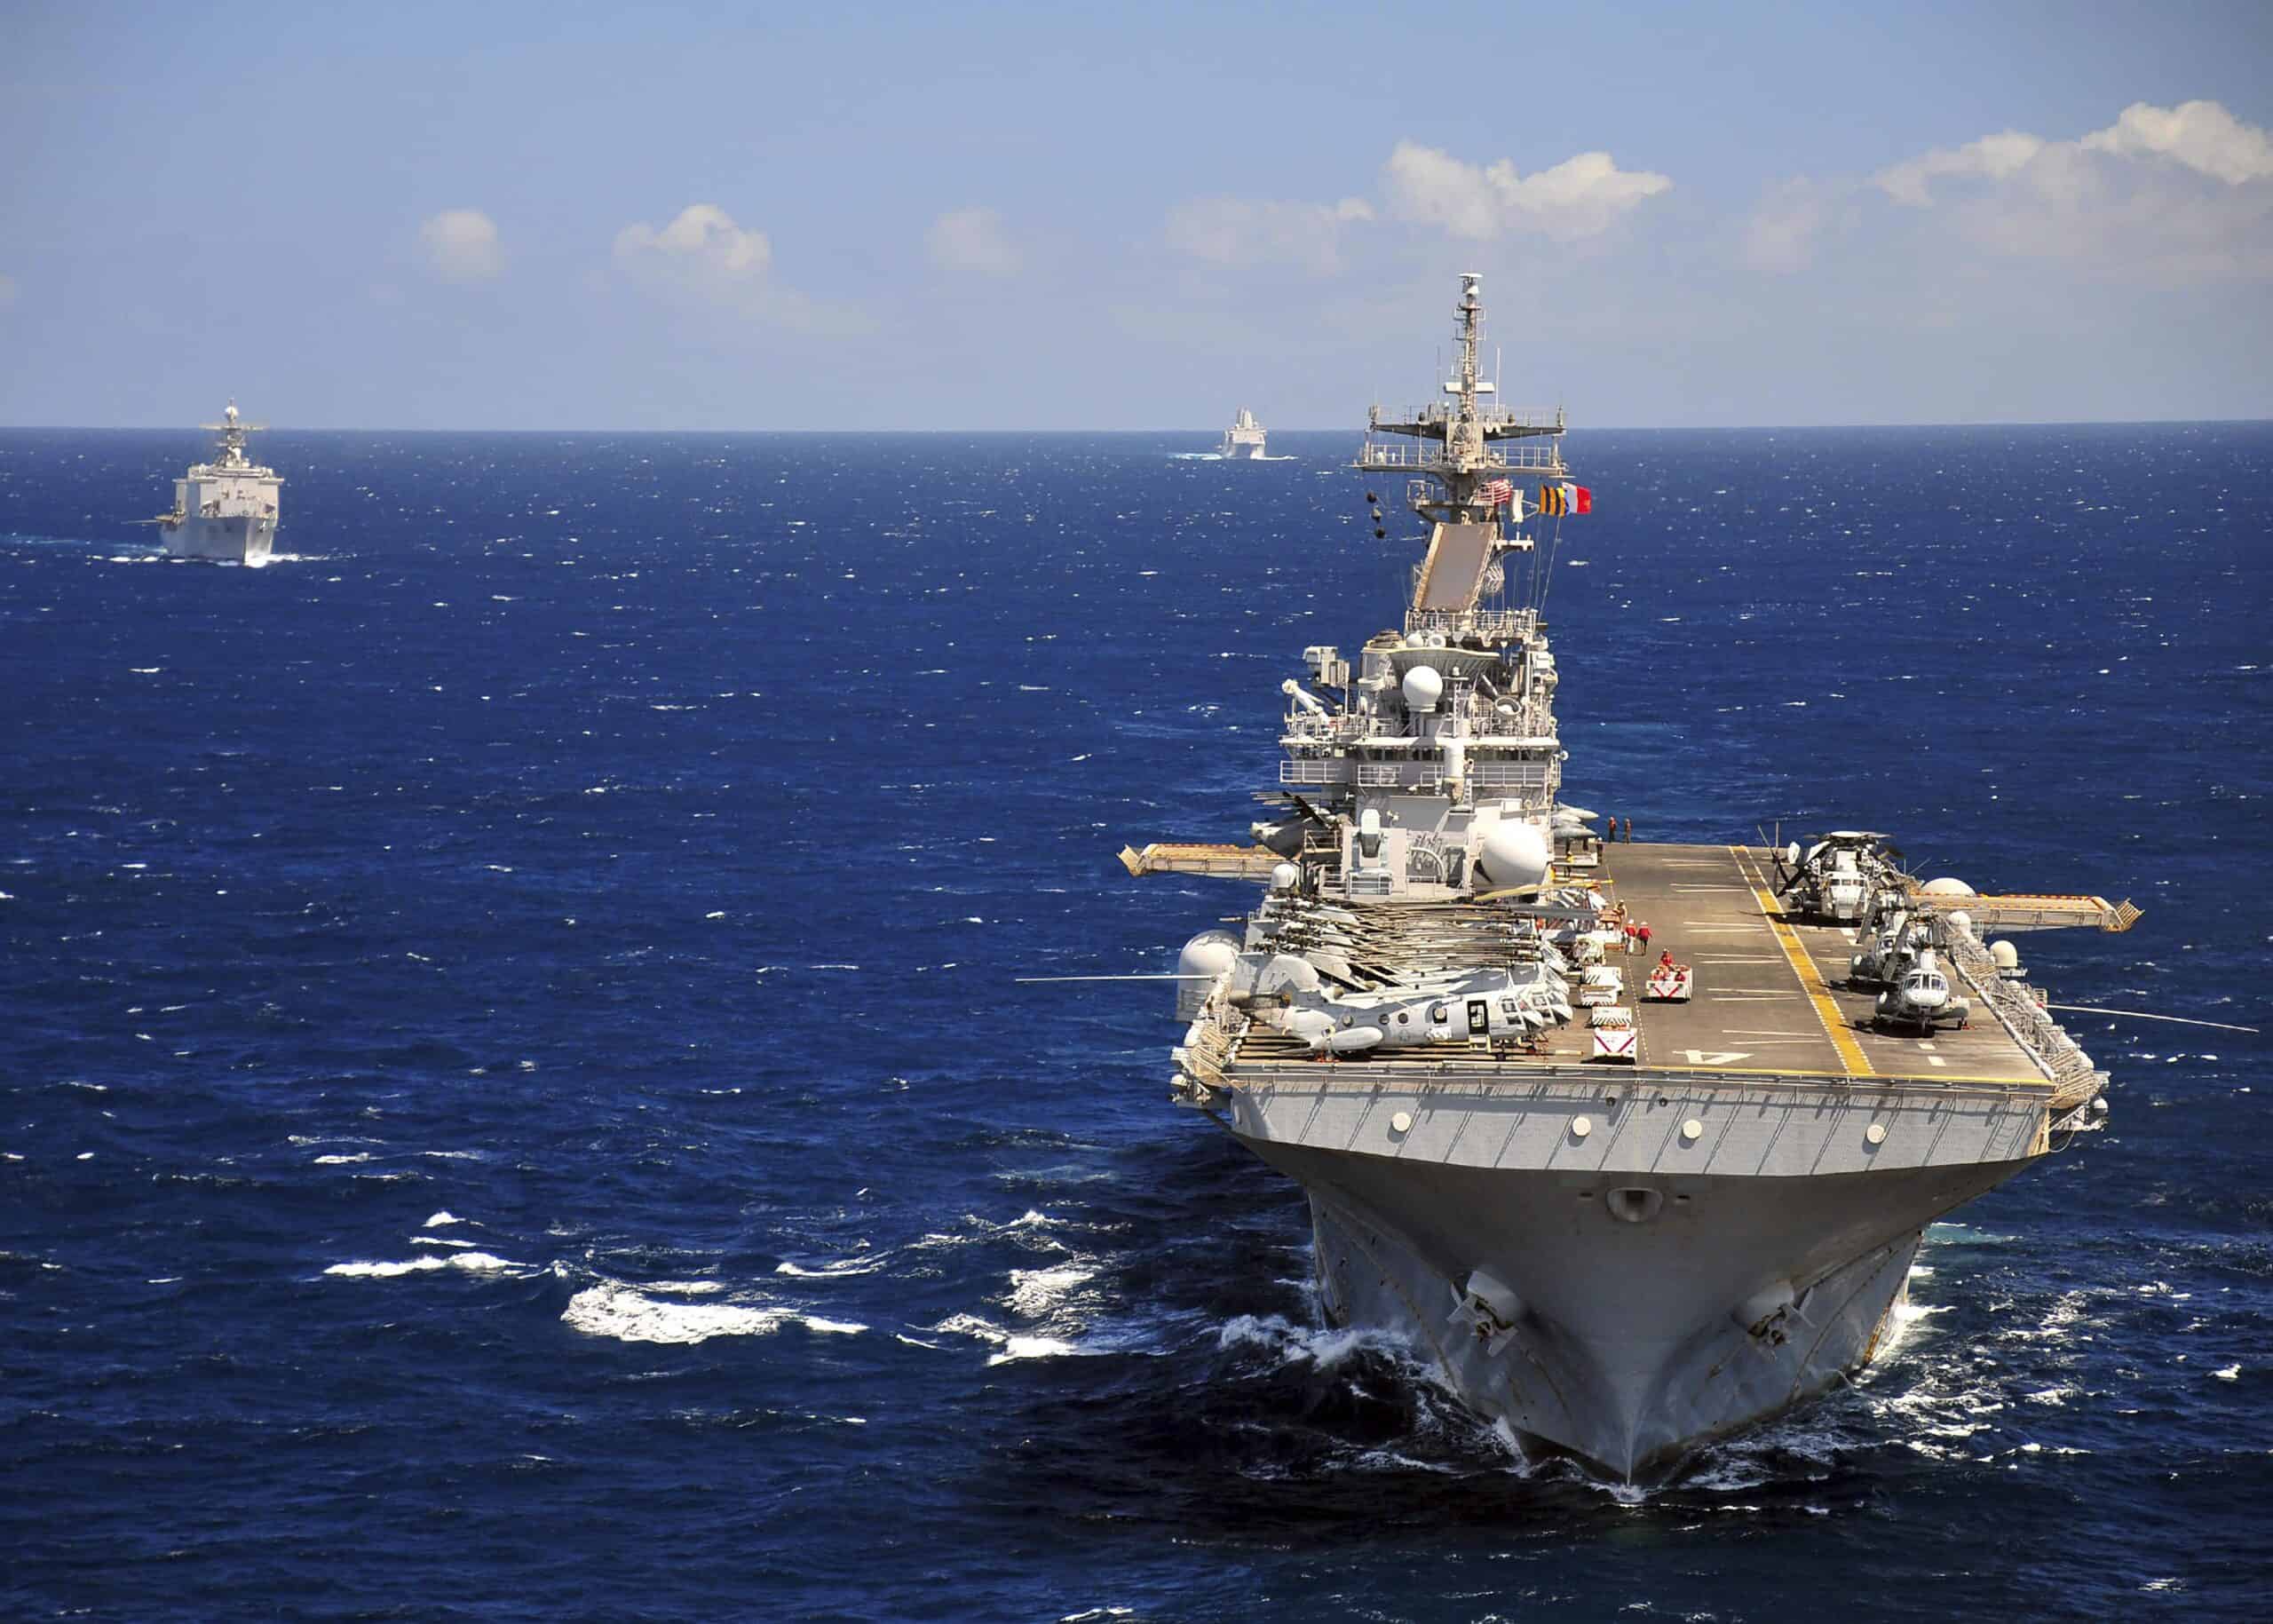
[1770, 993]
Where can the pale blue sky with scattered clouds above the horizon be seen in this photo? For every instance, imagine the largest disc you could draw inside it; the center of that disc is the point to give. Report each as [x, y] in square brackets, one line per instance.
[1097, 217]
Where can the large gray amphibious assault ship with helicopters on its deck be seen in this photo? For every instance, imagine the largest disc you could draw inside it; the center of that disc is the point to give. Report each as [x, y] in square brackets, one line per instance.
[1626, 1211]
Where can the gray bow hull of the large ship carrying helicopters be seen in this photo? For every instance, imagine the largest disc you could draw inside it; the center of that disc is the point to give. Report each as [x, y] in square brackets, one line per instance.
[1635, 1302]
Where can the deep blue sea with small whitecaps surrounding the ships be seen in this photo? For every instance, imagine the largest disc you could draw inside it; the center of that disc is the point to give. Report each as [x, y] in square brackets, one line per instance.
[517, 1095]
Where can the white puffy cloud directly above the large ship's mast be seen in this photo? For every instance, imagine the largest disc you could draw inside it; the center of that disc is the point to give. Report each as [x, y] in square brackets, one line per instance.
[1576, 199]
